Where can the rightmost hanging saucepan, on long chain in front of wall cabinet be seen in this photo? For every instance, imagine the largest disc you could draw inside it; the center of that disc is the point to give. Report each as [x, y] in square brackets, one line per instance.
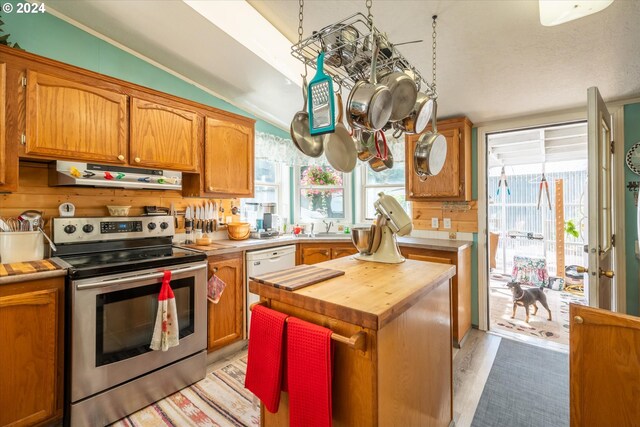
[431, 150]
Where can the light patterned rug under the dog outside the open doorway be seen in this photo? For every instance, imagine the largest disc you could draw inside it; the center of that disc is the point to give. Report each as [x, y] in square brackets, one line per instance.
[557, 330]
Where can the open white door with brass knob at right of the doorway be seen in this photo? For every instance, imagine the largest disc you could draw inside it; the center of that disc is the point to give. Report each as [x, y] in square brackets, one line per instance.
[601, 283]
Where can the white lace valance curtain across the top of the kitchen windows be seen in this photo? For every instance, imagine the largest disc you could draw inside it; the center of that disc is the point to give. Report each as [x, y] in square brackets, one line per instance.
[282, 150]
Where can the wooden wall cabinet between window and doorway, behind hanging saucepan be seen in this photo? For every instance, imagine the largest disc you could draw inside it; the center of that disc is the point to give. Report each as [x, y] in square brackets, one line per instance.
[454, 181]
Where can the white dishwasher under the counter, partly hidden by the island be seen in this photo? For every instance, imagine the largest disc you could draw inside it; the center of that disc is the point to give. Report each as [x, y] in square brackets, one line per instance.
[266, 261]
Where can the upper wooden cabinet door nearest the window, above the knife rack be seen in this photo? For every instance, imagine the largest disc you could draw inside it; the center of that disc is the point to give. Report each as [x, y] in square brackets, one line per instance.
[228, 163]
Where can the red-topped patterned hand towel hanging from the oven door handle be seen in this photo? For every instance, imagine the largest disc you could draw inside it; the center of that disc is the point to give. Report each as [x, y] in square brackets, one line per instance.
[166, 331]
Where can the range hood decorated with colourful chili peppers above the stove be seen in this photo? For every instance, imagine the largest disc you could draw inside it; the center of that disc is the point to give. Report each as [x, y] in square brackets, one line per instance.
[95, 175]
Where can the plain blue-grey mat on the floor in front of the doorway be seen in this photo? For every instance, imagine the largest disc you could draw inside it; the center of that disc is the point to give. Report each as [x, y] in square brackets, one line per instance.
[528, 386]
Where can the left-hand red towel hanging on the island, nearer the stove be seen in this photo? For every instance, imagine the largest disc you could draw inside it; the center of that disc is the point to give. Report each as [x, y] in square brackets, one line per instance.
[265, 360]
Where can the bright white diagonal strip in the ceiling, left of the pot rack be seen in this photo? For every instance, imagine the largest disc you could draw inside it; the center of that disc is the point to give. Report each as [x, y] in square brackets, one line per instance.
[245, 25]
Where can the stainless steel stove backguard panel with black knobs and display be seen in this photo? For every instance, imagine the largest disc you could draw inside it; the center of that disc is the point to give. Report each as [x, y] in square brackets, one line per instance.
[76, 230]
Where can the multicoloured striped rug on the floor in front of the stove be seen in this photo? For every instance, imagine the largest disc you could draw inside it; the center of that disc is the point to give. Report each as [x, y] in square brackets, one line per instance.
[218, 400]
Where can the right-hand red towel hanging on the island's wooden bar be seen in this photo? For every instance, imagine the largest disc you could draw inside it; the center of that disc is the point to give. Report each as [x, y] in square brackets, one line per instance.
[309, 366]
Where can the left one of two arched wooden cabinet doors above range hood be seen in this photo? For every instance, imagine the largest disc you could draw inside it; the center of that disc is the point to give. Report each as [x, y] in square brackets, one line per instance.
[68, 119]
